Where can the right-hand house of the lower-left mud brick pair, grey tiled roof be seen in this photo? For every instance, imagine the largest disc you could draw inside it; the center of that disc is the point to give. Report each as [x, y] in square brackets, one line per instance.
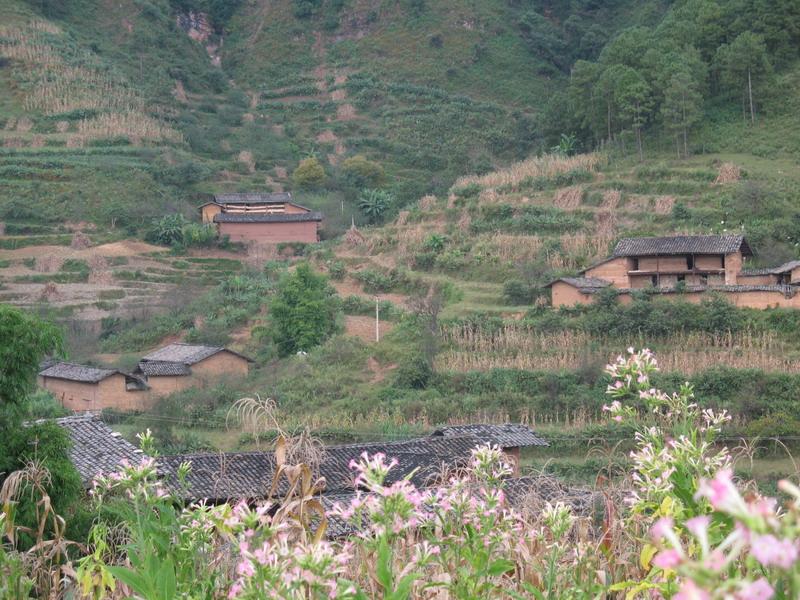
[179, 366]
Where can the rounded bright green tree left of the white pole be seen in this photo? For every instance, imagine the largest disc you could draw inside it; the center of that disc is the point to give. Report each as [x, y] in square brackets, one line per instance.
[303, 312]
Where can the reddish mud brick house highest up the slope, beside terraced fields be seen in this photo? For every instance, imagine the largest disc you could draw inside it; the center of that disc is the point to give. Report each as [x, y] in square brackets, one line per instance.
[262, 218]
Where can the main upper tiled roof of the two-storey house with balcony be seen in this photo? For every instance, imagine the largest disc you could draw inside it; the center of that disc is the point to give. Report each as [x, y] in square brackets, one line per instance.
[682, 244]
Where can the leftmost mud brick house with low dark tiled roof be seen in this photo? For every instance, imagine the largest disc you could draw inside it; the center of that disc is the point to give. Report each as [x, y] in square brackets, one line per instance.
[83, 388]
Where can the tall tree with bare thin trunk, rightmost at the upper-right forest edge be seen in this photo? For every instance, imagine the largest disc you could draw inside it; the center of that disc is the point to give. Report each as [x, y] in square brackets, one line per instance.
[743, 64]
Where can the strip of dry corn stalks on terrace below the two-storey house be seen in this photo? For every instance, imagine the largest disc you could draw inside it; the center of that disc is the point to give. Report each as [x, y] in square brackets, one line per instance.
[520, 347]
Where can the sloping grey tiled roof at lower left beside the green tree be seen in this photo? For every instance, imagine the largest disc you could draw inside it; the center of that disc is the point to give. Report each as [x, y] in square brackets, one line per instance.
[96, 448]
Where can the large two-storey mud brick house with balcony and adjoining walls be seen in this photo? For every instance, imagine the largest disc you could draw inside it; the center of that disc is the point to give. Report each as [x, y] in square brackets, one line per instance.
[689, 265]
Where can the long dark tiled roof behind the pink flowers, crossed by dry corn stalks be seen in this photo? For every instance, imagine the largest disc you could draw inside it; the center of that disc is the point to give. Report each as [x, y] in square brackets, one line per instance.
[224, 476]
